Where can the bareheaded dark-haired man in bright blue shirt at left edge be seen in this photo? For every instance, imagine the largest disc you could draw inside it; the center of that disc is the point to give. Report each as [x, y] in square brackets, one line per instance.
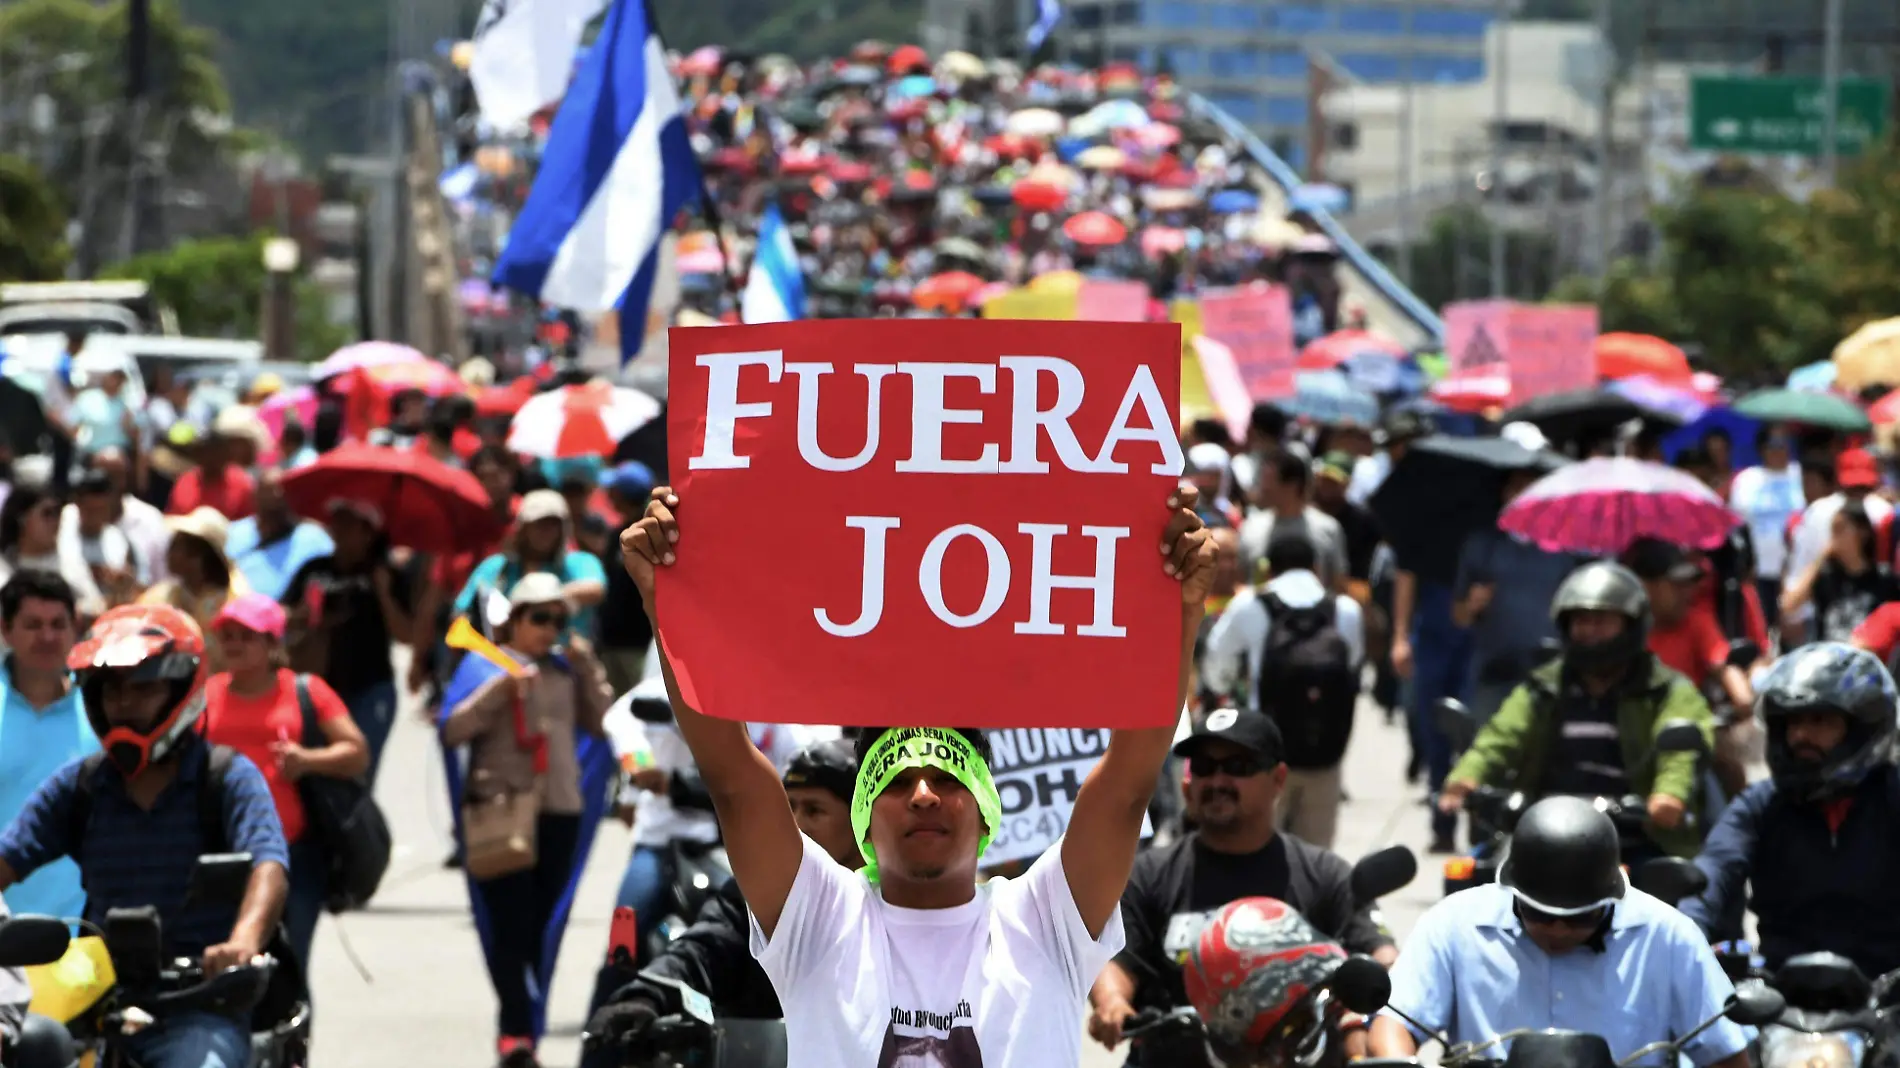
[43, 721]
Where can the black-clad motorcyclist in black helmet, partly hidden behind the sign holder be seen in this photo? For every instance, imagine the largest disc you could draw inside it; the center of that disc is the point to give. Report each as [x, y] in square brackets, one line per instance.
[713, 957]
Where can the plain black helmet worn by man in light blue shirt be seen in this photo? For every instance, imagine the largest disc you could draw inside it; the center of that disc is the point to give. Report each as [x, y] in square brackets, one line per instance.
[1565, 858]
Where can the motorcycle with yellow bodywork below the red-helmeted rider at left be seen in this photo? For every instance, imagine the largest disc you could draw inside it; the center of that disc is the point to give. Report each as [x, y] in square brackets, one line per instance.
[113, 982]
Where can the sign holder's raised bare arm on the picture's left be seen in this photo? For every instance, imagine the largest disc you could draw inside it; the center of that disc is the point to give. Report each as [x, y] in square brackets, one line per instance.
[753, 812]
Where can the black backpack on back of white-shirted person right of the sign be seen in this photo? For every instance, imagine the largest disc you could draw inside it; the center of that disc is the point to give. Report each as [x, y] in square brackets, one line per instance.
[1308, 683]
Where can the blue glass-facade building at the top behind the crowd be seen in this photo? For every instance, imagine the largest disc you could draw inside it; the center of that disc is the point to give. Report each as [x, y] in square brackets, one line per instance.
[1253, 56]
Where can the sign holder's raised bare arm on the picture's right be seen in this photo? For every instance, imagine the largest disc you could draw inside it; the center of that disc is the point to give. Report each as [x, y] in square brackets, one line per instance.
[1107, 826]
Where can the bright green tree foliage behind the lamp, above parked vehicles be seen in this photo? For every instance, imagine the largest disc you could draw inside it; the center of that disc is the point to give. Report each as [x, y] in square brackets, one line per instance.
[218, 290]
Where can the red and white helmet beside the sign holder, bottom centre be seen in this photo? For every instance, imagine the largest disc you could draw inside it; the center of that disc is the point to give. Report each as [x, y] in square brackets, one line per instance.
[1255, 963]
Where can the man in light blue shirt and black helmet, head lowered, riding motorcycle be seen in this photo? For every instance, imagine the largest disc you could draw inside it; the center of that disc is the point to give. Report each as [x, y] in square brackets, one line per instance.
[1561, 942]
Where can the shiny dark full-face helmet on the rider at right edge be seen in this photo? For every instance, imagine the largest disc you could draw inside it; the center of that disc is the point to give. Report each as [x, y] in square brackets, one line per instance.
[1829, 677]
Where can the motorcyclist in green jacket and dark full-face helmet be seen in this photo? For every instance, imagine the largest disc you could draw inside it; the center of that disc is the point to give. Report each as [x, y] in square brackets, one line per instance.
[1586, 723]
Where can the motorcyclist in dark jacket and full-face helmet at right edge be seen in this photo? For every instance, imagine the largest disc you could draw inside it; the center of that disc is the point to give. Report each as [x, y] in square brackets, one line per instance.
[1819, 843]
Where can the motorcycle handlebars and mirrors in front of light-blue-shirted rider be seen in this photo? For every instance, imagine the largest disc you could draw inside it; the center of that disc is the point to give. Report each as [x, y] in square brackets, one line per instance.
[1751, 1006]
